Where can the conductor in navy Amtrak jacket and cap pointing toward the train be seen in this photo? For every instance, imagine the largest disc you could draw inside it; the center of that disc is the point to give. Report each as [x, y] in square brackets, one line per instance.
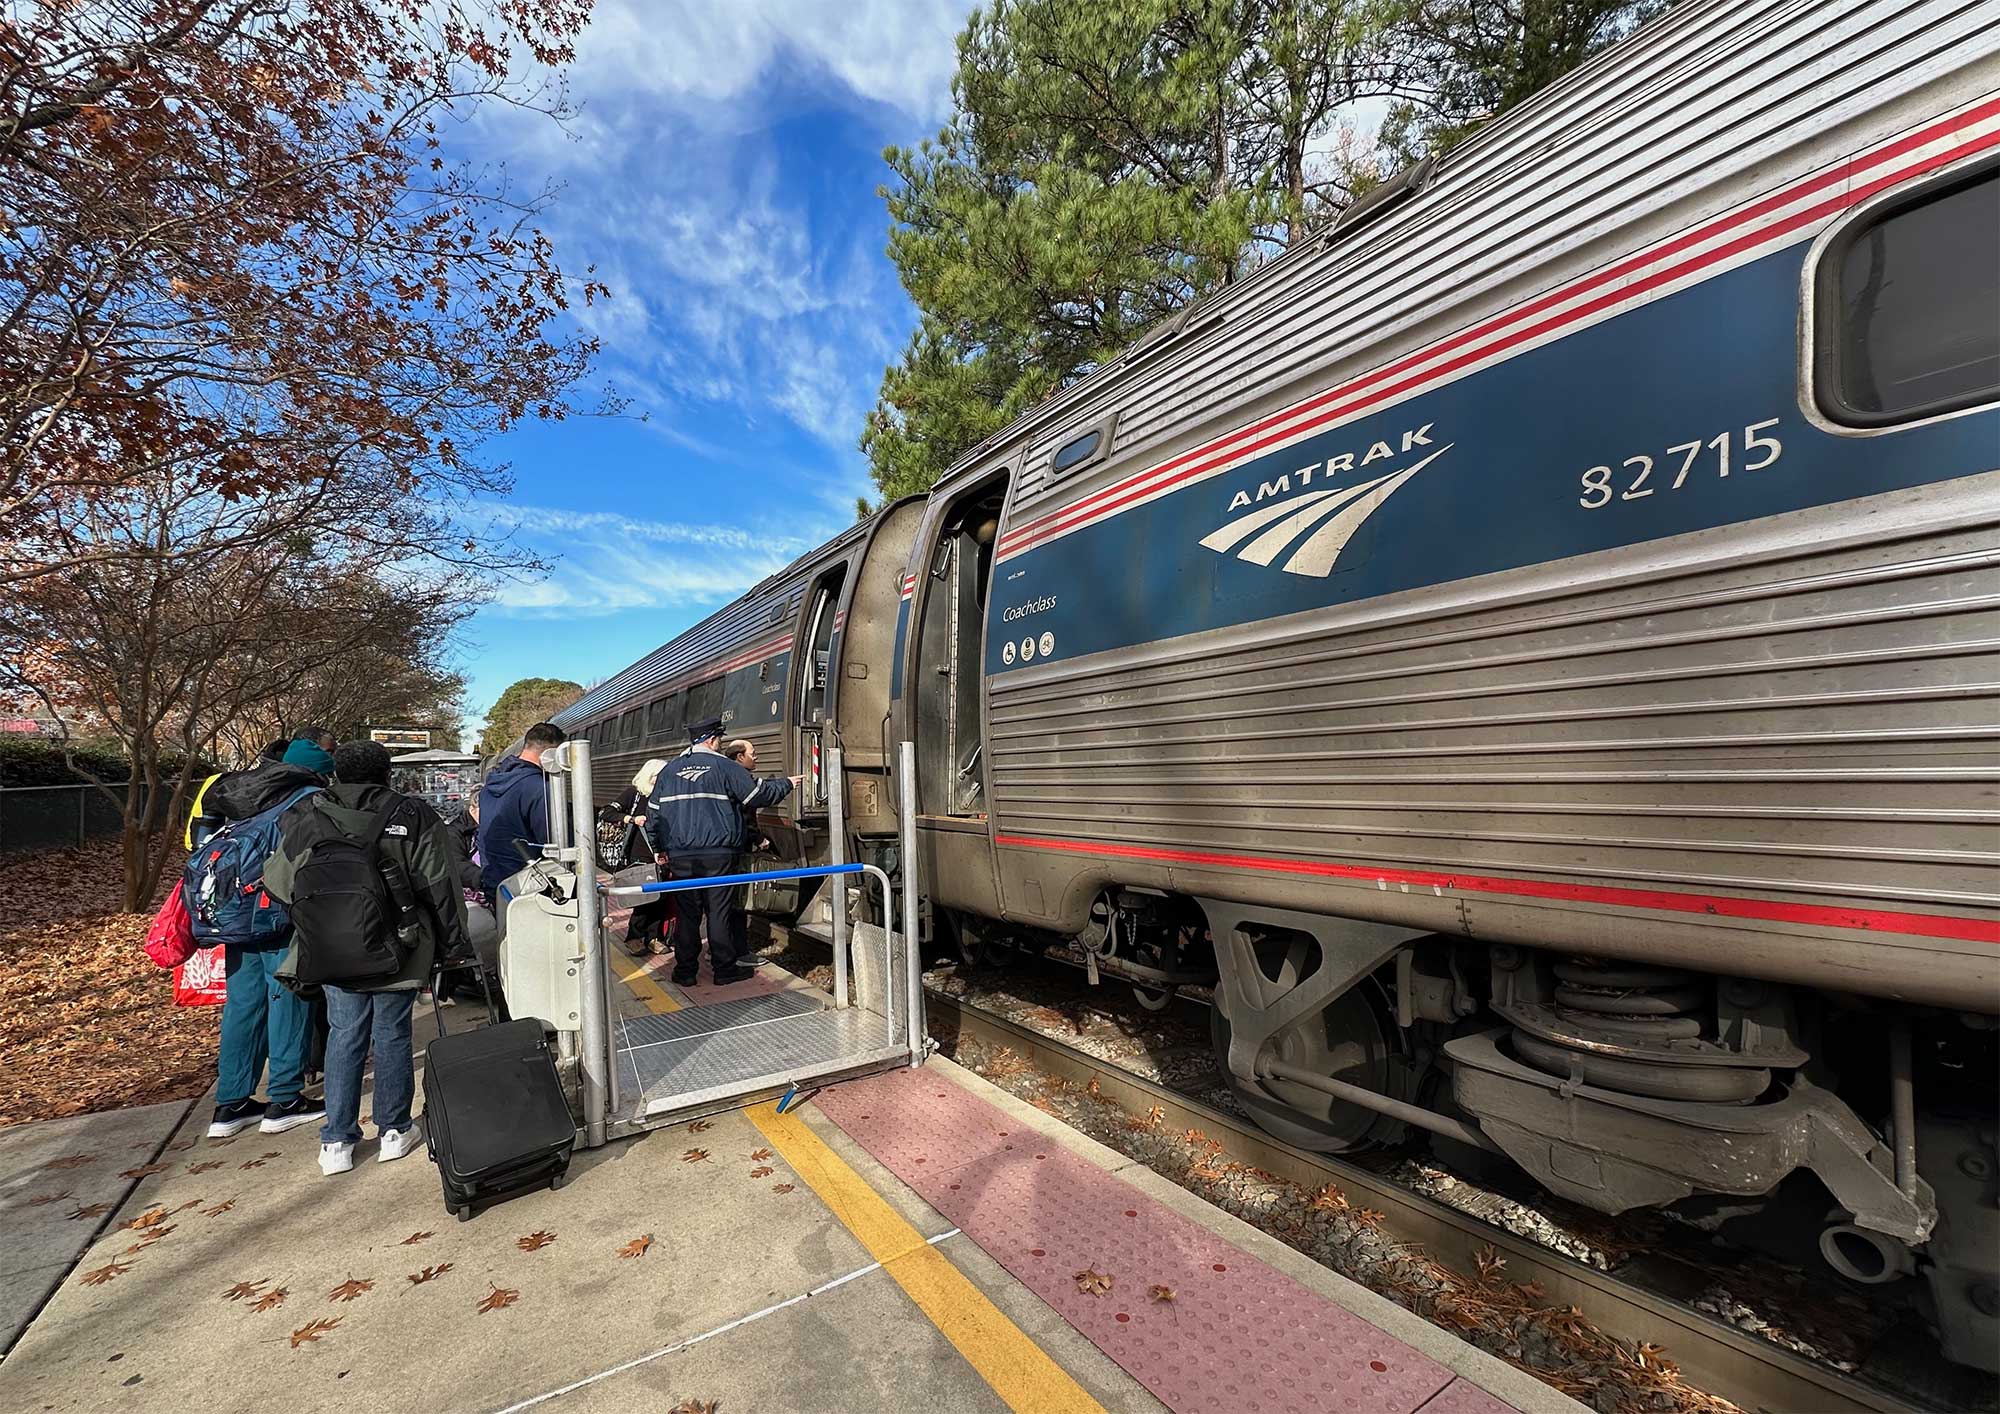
[697, 831]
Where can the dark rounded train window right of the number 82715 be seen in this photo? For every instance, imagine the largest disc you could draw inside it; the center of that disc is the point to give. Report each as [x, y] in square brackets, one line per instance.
[1909, 307]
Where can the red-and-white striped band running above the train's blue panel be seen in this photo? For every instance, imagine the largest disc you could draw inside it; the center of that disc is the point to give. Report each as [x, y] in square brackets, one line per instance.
[1387, 385]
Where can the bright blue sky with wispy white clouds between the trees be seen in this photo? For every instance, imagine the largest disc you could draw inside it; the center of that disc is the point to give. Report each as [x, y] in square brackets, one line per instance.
[723, 179]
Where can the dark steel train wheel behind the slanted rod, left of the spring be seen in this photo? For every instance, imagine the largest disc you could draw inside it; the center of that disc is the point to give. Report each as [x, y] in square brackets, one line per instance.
[1347, 1041]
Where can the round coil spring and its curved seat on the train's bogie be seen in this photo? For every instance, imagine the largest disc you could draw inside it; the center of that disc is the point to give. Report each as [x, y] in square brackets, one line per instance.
[1645, 1011]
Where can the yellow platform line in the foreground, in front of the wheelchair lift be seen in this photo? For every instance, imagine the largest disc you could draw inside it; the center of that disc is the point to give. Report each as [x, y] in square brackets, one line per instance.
[1017, 1369]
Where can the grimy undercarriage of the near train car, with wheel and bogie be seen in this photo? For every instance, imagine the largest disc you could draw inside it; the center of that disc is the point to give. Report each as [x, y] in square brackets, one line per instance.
[1613, 1085]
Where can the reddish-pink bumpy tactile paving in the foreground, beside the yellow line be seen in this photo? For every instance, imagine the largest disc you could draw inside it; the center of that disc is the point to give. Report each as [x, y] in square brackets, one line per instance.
[1237, 1335]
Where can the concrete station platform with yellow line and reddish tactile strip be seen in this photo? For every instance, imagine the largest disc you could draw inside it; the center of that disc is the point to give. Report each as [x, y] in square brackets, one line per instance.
[913, 1239]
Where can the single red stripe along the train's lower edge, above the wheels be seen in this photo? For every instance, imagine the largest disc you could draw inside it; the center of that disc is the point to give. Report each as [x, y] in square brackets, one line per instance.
[1659, 899]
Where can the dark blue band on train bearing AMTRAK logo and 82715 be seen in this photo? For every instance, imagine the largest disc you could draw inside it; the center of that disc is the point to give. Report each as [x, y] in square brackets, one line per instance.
[1695, 367]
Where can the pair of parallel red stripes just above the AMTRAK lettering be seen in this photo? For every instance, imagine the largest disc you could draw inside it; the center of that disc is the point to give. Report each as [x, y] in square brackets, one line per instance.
[1229, 447]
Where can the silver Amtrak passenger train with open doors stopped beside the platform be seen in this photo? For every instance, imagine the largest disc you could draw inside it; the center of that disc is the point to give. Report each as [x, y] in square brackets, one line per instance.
[1531, 649]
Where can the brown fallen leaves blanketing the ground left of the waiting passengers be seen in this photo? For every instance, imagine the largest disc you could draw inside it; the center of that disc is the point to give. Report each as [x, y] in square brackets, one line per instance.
[79, 997]
